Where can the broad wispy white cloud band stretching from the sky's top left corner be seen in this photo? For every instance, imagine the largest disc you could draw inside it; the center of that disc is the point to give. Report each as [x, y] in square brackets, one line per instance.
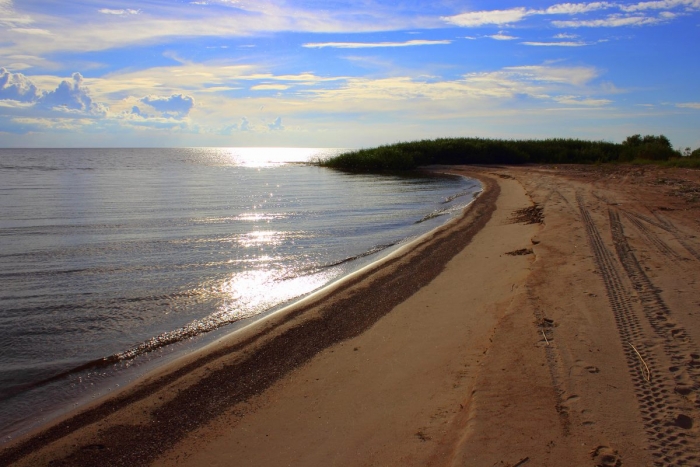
[85, 30]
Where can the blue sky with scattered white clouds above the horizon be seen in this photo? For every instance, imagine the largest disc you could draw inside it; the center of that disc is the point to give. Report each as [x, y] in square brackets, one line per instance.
[351, 74]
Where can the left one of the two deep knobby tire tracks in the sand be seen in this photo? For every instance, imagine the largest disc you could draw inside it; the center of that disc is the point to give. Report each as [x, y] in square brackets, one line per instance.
[669, 444]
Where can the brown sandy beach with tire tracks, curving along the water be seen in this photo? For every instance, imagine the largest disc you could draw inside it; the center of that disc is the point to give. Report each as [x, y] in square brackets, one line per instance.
[556, 323]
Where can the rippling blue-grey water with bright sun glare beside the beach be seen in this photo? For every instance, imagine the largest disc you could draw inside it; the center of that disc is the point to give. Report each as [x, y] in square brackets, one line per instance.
[113, 261]
